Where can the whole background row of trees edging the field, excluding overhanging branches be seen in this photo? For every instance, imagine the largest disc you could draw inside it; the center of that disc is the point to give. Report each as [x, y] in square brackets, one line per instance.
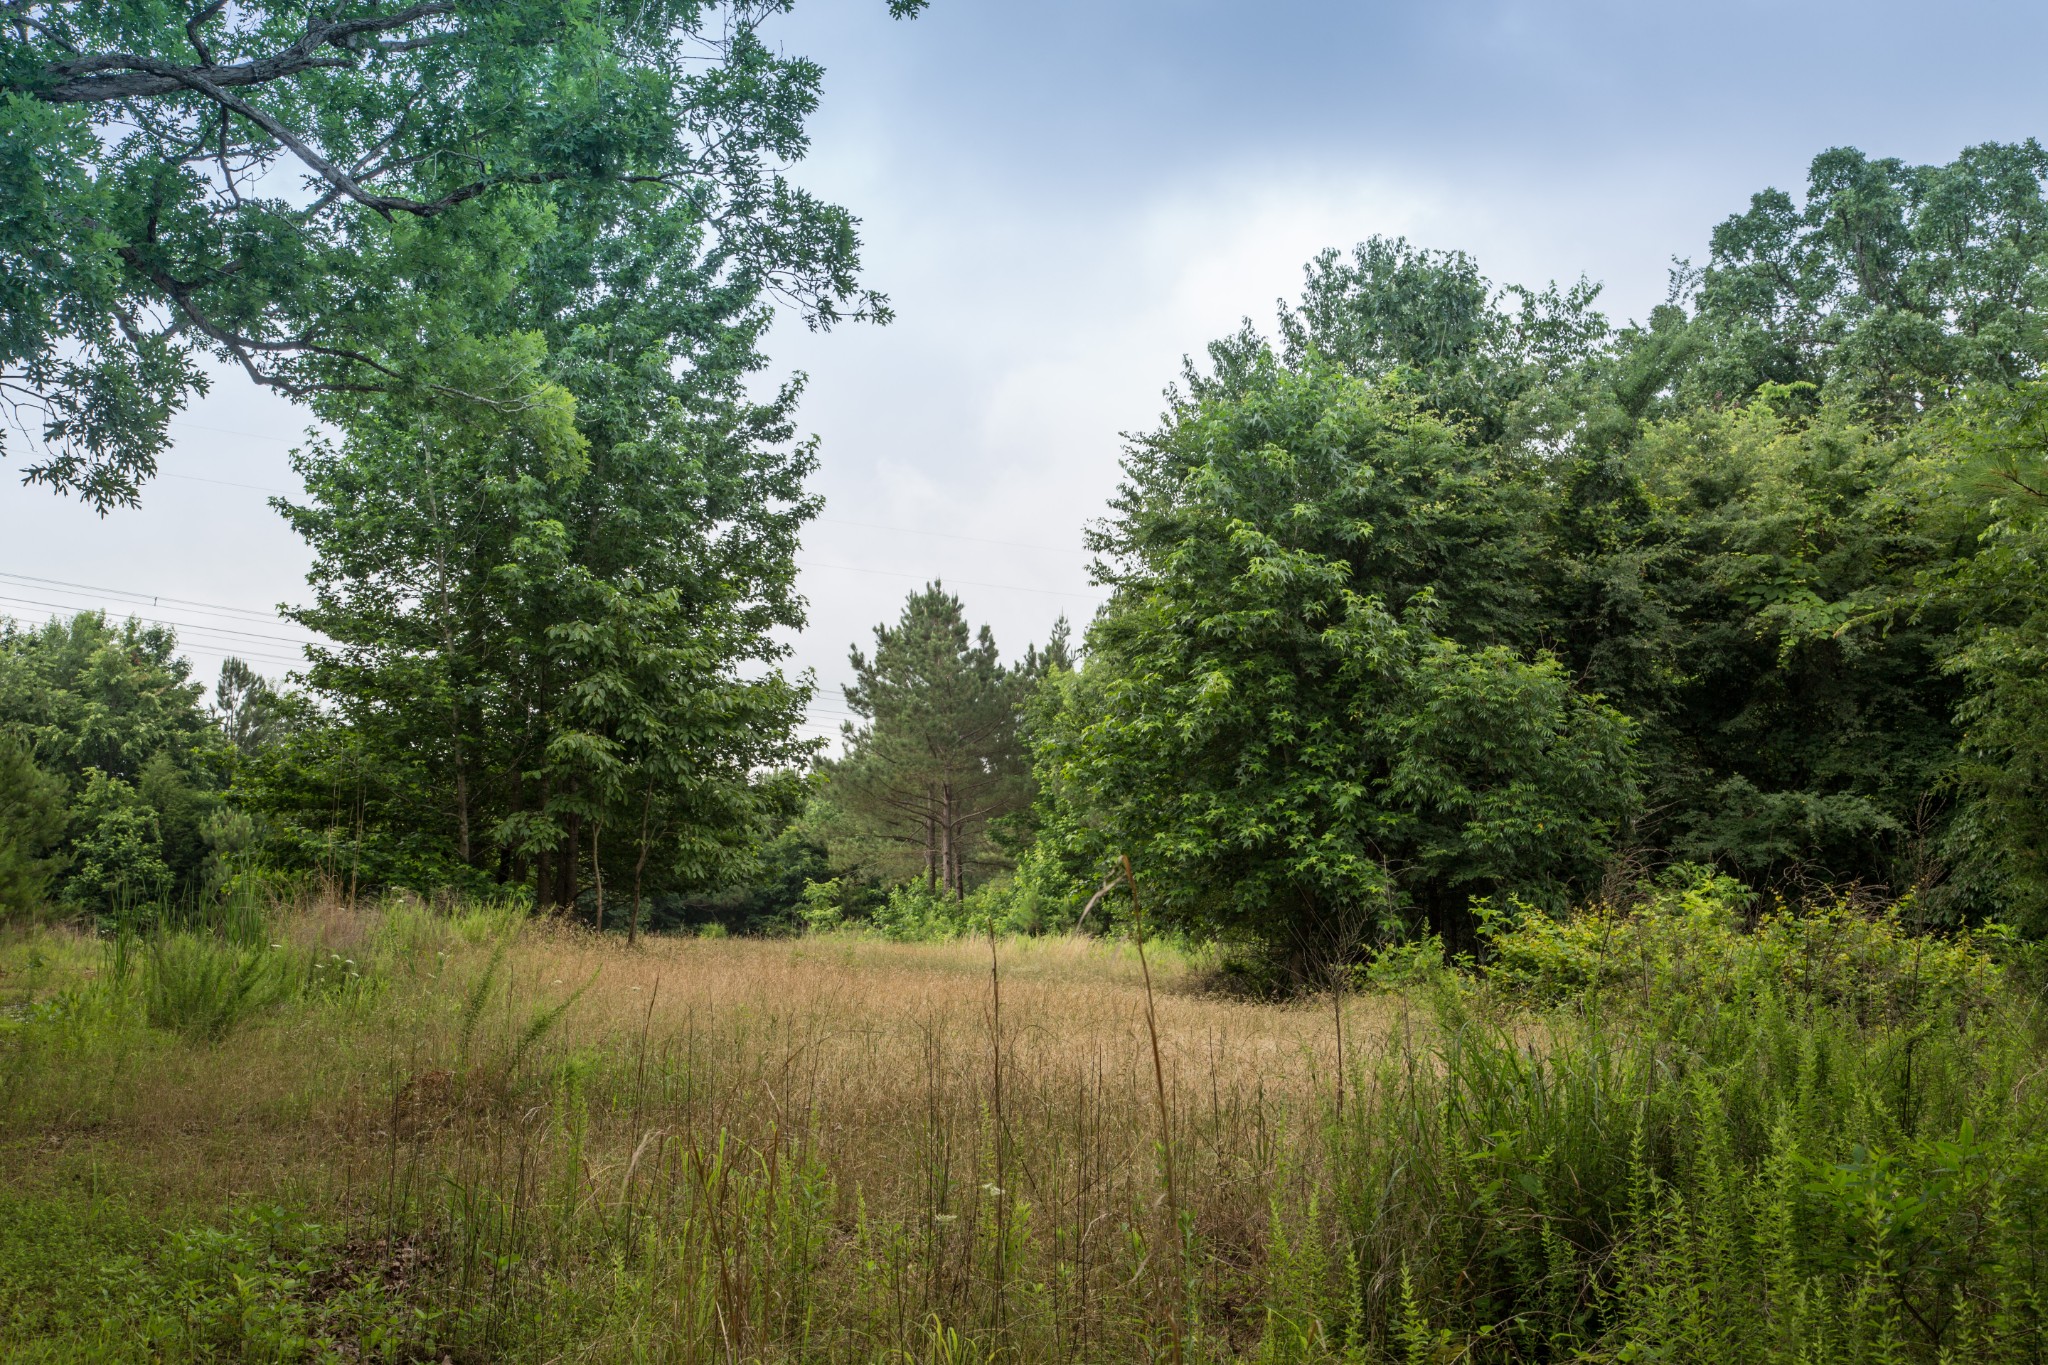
[1439, 597]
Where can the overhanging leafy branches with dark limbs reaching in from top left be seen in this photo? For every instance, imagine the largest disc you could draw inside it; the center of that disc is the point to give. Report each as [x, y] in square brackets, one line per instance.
[327, 197]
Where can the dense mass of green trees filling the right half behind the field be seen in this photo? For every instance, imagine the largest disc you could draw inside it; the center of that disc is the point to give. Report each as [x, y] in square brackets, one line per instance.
[1457, 590]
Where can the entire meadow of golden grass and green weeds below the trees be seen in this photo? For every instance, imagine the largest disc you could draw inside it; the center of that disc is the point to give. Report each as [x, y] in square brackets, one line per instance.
[411, 1135]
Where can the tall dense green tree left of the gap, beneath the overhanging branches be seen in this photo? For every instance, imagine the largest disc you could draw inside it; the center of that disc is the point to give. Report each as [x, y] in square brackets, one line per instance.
[544, 621]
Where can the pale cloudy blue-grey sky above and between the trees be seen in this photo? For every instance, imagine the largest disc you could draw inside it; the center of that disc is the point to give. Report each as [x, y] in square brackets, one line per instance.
[1064, 200]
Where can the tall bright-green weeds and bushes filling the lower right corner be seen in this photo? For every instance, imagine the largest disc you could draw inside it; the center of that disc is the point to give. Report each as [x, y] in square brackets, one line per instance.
[1816, 1141]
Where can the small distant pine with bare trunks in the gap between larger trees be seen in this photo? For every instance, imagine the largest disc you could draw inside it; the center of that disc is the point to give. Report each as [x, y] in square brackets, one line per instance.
[937, 756]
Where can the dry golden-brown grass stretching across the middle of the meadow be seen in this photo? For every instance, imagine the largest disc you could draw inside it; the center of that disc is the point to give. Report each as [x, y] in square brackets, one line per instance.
[710, 1088]
